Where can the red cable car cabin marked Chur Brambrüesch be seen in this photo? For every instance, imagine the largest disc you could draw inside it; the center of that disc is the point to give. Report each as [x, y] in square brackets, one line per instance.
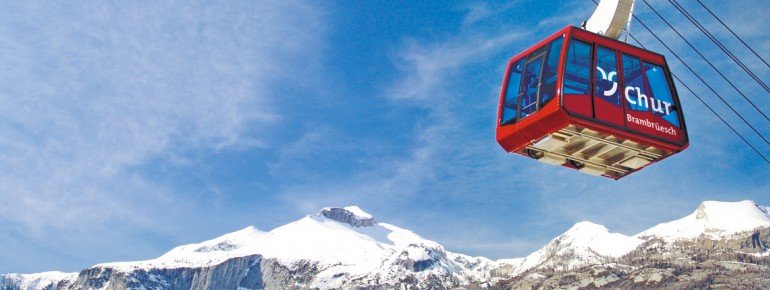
[591, 103]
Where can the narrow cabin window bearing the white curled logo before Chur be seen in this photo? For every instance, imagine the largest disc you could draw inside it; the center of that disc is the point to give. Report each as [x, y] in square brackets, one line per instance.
[607, 76]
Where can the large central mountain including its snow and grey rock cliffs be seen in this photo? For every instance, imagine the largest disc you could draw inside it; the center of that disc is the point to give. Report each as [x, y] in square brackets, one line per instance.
[335, 248]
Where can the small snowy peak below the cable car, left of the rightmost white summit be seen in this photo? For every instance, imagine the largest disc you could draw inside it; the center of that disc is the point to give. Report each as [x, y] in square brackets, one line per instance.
[584, 244]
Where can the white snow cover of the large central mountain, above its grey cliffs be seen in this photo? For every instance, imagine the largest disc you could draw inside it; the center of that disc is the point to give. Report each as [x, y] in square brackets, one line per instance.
[345, 243]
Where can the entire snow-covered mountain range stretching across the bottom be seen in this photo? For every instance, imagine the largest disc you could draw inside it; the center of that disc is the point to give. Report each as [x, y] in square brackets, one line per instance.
[347, 248]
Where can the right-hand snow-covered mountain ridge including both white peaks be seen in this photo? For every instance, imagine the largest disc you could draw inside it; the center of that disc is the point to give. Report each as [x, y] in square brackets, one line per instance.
[587, 244]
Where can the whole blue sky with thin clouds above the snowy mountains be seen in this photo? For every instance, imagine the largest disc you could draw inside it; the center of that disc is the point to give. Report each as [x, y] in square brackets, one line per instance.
[128, 128]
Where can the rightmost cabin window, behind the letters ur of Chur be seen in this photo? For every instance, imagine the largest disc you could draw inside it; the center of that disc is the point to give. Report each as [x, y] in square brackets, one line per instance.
[661, 101]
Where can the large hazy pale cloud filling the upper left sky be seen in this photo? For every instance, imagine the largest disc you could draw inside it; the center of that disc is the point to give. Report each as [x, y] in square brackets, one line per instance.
[93, 91]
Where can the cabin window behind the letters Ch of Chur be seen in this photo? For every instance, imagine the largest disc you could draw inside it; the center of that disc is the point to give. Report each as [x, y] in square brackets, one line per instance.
[634, 90]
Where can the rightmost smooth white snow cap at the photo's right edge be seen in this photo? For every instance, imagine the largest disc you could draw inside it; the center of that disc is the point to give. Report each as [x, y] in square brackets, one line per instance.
[714, 220]
